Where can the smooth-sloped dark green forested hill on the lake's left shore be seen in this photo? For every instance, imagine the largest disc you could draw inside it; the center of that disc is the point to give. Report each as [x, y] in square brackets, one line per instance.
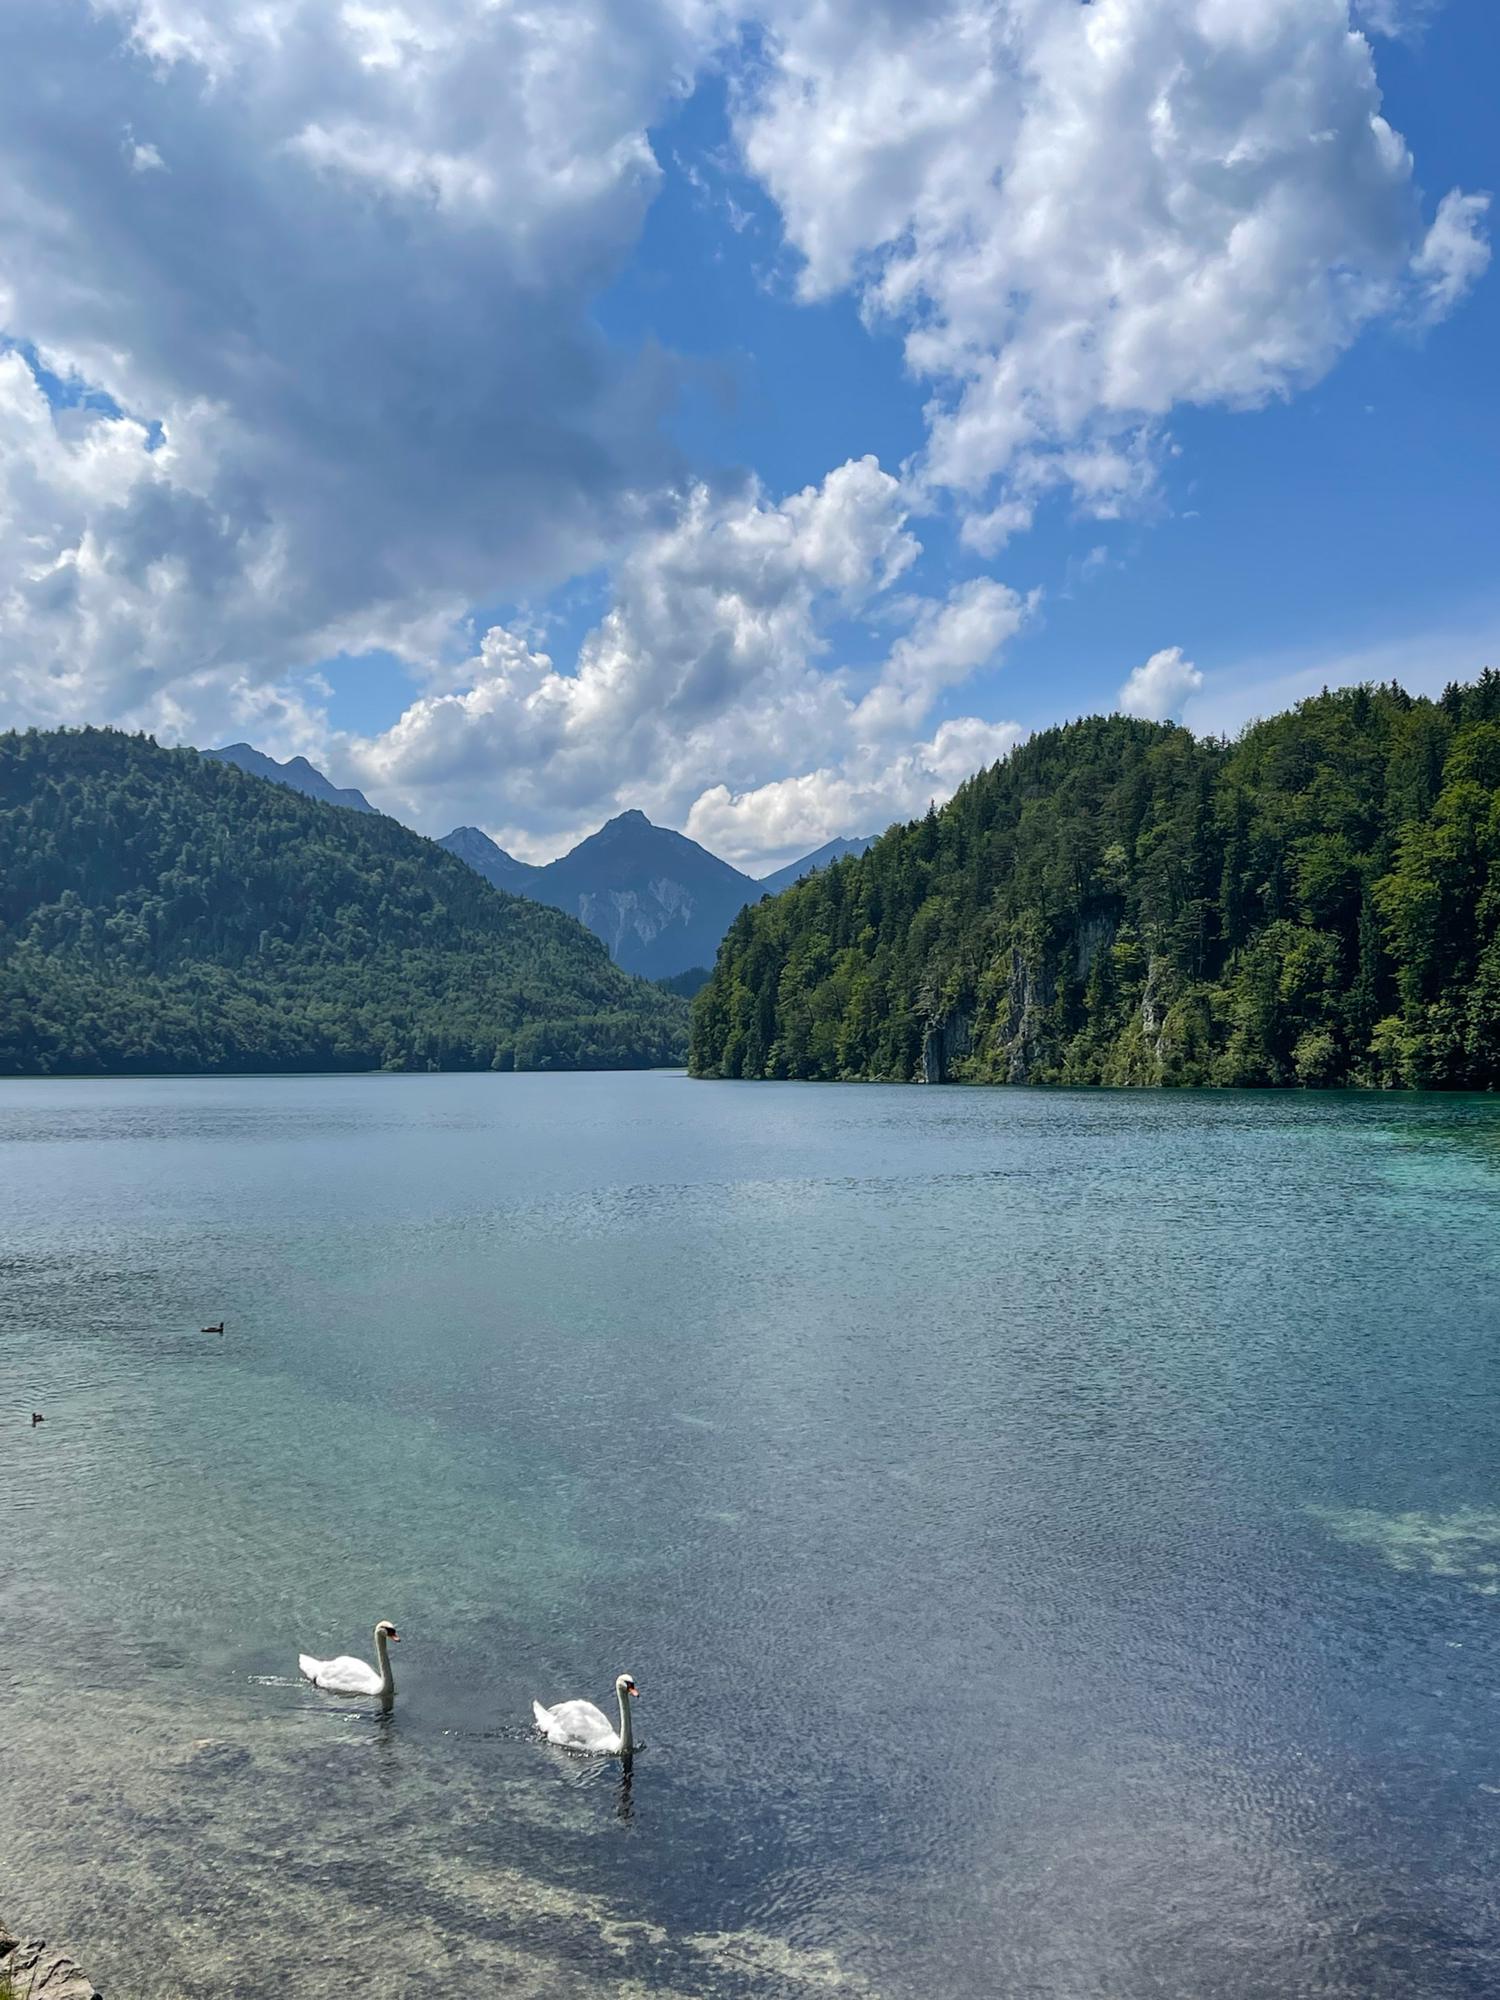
[161, 911]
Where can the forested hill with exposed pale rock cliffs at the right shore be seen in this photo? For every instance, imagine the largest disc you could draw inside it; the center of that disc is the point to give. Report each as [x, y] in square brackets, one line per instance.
[1119, 903]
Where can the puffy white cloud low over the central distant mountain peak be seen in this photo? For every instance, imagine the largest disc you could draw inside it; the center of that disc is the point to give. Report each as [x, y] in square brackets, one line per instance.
[717, 659]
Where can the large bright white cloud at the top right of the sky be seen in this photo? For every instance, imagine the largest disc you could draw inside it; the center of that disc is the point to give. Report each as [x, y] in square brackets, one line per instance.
[1085, 217]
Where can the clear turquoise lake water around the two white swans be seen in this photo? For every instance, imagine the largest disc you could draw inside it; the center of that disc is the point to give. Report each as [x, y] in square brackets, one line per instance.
[1057, 1537]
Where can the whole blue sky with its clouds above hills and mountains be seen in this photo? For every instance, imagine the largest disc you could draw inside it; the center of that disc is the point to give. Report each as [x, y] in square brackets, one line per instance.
[755, 415]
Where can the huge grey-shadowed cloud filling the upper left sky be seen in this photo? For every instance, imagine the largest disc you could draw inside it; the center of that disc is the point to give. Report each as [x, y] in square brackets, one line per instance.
[311, 287]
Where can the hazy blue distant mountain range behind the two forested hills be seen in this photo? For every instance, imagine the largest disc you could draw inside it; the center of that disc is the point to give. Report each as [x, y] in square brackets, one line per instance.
[659, 901]
